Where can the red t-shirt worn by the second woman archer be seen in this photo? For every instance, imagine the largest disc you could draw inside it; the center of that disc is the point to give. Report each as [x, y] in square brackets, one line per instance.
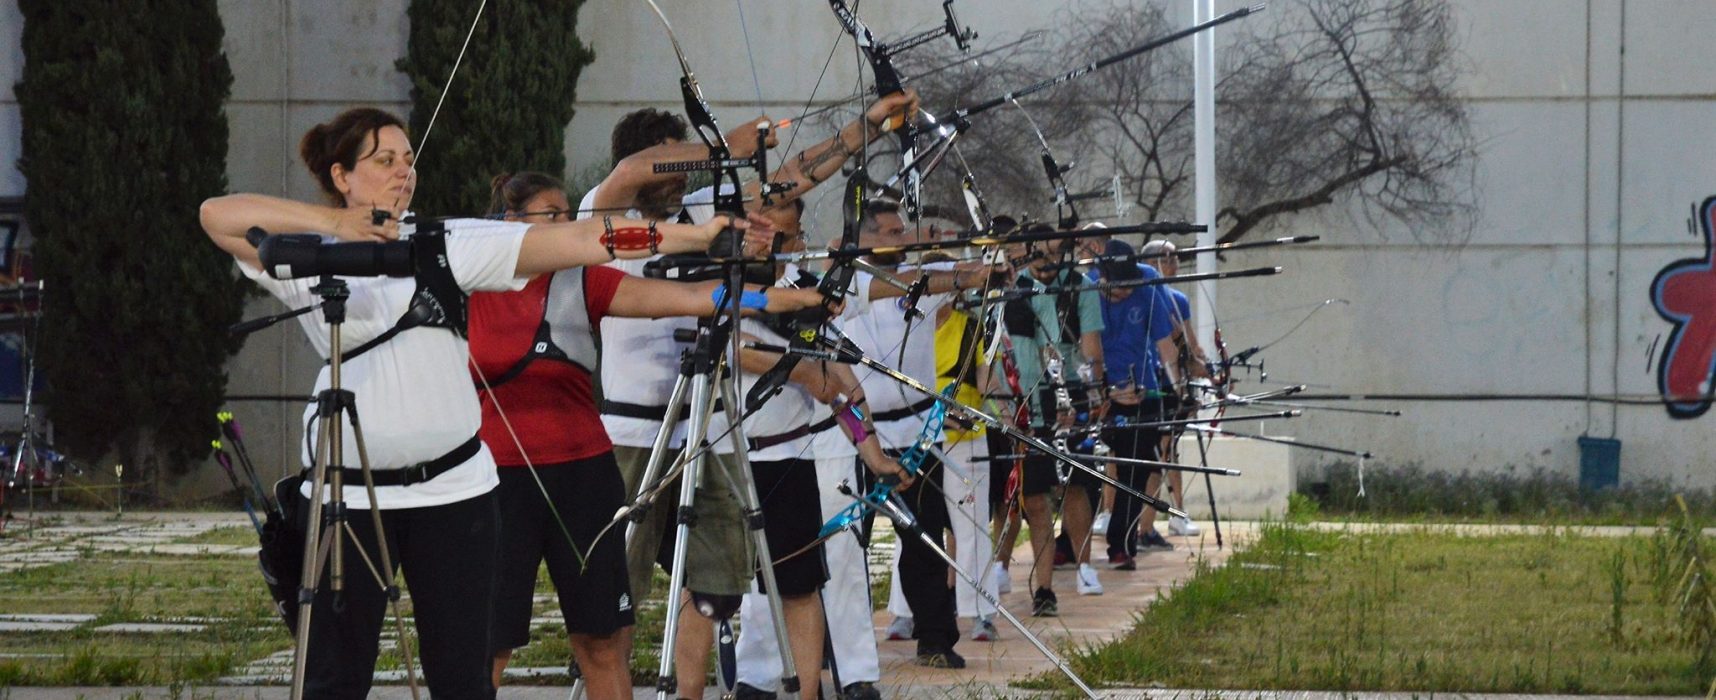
[550, 406]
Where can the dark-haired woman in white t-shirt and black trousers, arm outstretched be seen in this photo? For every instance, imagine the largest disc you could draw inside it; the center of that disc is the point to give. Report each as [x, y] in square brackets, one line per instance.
[420, 411]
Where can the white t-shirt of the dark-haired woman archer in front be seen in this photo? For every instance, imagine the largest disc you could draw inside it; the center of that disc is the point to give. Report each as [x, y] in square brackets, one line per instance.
[414, 394]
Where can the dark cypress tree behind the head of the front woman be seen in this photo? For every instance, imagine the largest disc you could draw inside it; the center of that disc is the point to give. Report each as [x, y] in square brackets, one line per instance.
[509, 106]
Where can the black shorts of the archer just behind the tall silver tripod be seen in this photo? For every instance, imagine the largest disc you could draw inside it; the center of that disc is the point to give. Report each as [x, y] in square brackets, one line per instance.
[792, 516]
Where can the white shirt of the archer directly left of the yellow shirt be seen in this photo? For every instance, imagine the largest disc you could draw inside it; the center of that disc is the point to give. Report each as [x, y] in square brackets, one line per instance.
[879, 334]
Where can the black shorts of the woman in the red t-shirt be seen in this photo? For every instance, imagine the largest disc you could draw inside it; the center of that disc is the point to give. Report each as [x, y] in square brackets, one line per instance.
[595, 594]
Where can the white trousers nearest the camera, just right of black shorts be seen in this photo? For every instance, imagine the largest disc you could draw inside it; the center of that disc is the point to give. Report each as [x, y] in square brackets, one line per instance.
[845, 600]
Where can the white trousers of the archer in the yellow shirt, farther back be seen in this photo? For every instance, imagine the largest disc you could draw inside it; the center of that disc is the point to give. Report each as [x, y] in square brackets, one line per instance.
[967, 490]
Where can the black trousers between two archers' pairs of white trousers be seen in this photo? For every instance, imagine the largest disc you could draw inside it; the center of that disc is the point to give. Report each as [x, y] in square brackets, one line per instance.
[922, 572]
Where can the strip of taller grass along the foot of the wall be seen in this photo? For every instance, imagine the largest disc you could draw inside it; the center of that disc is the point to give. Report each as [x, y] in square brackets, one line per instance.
[1506, 497]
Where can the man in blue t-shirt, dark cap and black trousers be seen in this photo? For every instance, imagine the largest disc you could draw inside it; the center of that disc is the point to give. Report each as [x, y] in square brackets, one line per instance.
[1139, 351]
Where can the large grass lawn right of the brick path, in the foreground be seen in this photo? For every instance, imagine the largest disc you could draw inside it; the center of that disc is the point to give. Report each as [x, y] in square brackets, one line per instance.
[1417, 612]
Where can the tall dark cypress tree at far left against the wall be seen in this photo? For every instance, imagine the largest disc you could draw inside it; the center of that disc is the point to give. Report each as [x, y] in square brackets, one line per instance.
[124, 135]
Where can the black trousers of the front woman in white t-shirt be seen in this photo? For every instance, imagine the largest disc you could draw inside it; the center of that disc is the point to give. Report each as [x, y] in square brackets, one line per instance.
[449, 555]
